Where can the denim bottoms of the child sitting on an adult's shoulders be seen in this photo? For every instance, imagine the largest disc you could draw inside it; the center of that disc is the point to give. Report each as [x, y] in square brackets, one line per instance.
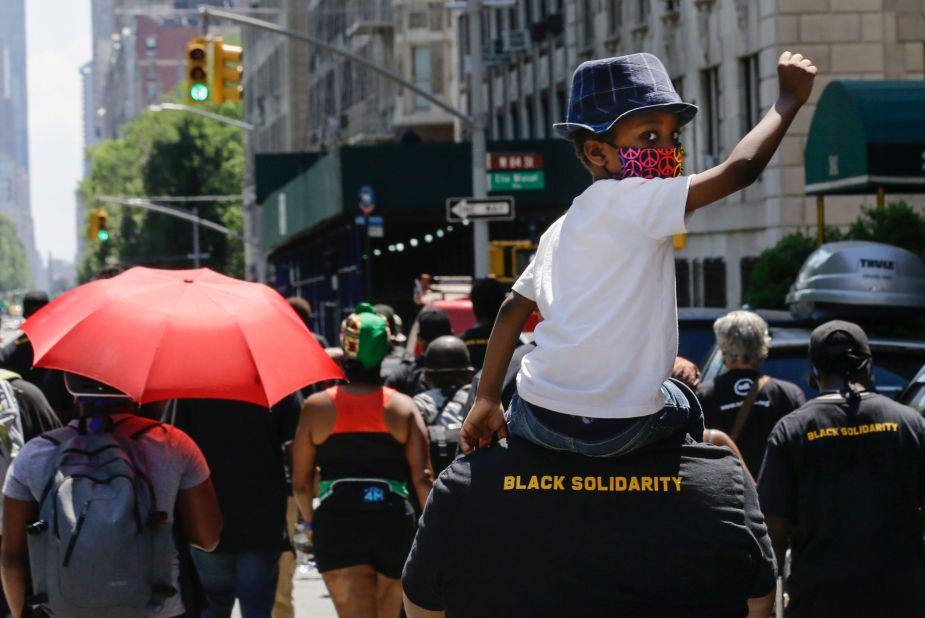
[681, 413]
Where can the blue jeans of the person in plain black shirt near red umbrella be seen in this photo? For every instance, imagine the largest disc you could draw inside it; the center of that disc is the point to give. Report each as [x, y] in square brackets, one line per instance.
[248, 576]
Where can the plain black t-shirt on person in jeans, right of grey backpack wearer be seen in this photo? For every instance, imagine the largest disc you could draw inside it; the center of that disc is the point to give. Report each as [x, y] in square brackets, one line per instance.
[242, 443]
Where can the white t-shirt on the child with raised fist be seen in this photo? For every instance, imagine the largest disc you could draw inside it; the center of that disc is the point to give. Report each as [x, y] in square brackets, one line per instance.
[603, 280]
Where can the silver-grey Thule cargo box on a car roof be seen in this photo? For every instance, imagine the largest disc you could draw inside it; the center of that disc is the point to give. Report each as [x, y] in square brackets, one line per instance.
[859, 280]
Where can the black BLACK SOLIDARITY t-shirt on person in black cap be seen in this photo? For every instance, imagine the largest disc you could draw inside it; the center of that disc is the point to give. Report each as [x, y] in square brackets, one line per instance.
[850, 478]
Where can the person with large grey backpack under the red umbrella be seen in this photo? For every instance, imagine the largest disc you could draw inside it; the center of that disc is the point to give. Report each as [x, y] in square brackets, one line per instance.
[89, 508]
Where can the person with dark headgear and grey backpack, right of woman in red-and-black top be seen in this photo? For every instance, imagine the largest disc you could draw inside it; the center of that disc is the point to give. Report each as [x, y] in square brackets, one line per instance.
[448, 373]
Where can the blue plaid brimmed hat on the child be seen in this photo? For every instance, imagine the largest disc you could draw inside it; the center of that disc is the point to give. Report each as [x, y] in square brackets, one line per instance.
[605, 91]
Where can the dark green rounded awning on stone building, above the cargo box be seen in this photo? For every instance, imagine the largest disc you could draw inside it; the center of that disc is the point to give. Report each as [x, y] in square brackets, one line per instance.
[867, 135]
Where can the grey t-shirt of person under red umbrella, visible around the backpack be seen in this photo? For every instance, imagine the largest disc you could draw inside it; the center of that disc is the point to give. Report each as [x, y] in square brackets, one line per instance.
[174, 463]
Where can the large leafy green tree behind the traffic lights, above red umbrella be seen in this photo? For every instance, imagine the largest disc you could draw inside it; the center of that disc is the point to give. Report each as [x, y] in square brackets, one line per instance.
[168, 154]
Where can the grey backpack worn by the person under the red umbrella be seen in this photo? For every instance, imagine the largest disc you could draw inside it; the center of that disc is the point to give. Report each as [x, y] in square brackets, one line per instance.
[100, 548]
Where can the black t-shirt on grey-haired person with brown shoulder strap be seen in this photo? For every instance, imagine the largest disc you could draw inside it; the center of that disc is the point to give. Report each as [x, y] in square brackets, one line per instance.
[723, 397]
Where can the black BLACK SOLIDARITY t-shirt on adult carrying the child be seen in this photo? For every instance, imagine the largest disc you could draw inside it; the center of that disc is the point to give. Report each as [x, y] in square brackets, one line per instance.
[517, 530]
